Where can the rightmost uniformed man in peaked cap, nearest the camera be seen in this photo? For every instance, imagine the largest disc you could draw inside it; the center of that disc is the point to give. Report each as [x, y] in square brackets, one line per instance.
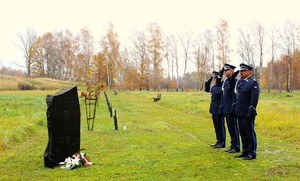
[247, 93]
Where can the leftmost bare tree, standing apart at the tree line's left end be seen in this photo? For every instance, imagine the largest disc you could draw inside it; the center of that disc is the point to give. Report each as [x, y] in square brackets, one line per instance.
[28, 39]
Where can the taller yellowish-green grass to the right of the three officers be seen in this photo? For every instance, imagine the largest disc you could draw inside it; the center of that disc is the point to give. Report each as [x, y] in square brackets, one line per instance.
[279, 115]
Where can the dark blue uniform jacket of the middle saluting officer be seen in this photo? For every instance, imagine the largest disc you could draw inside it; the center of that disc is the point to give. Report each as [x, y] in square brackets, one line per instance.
[228, 96]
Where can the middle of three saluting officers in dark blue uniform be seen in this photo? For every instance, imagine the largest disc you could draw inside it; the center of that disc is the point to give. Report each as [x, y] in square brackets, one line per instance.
[227, 107]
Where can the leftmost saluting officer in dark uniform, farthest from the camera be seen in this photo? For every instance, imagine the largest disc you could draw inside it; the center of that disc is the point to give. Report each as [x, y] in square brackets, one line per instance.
[218, 121]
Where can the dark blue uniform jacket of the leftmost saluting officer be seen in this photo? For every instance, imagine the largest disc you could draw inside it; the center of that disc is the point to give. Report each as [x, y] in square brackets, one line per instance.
[216, 93]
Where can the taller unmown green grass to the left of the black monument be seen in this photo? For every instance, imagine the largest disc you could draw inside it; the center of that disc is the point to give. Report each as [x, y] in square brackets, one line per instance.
[20, 115]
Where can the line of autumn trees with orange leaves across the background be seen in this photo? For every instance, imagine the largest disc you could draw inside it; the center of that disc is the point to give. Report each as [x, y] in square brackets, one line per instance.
[152, 59]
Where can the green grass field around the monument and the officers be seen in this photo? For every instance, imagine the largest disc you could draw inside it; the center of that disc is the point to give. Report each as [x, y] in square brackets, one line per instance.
[166, 140]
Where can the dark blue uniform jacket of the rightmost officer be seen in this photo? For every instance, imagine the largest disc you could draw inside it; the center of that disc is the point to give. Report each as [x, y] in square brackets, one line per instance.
[247, 93]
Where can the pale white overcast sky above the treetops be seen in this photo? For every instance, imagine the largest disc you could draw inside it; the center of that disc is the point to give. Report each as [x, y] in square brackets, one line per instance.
[129, 15]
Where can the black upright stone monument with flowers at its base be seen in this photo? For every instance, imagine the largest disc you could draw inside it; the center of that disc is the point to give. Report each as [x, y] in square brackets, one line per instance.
[63, 121]
